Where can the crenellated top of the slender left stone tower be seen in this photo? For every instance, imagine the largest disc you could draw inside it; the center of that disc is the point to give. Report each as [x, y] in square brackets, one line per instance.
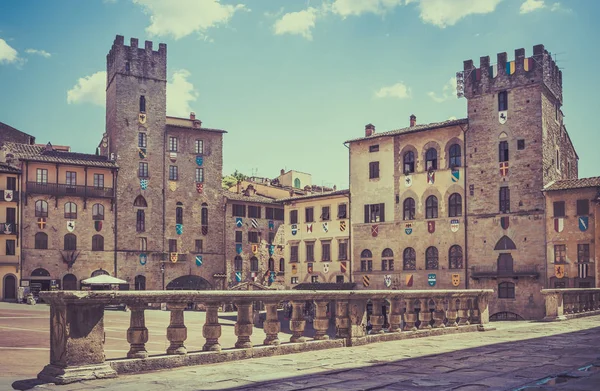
[135, 61]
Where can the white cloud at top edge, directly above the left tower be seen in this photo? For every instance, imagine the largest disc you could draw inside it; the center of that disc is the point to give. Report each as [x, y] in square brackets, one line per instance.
[184, 17]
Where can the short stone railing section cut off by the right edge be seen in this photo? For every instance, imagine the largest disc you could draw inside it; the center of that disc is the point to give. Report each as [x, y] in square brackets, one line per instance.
[562, 304]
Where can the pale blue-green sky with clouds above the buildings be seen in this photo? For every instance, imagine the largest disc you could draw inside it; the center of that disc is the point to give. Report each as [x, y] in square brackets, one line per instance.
[290, 80]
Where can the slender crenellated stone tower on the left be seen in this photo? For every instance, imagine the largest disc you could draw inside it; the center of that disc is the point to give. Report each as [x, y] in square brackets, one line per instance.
[135, 128]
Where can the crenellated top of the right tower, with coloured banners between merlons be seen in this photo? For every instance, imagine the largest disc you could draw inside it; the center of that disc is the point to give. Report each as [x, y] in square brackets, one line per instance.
[505, 74]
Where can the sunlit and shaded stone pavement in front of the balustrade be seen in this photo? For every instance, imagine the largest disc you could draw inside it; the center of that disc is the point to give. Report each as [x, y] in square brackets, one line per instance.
[513, 356]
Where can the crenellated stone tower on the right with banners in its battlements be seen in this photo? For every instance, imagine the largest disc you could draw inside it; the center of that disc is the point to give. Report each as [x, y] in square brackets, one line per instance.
[516, 143]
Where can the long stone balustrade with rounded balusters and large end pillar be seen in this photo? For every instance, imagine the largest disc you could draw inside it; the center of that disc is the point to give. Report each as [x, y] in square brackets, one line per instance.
[77, 325]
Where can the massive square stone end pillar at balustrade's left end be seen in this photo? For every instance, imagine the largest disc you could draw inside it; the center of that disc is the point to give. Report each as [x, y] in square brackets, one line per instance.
[76, 344]
